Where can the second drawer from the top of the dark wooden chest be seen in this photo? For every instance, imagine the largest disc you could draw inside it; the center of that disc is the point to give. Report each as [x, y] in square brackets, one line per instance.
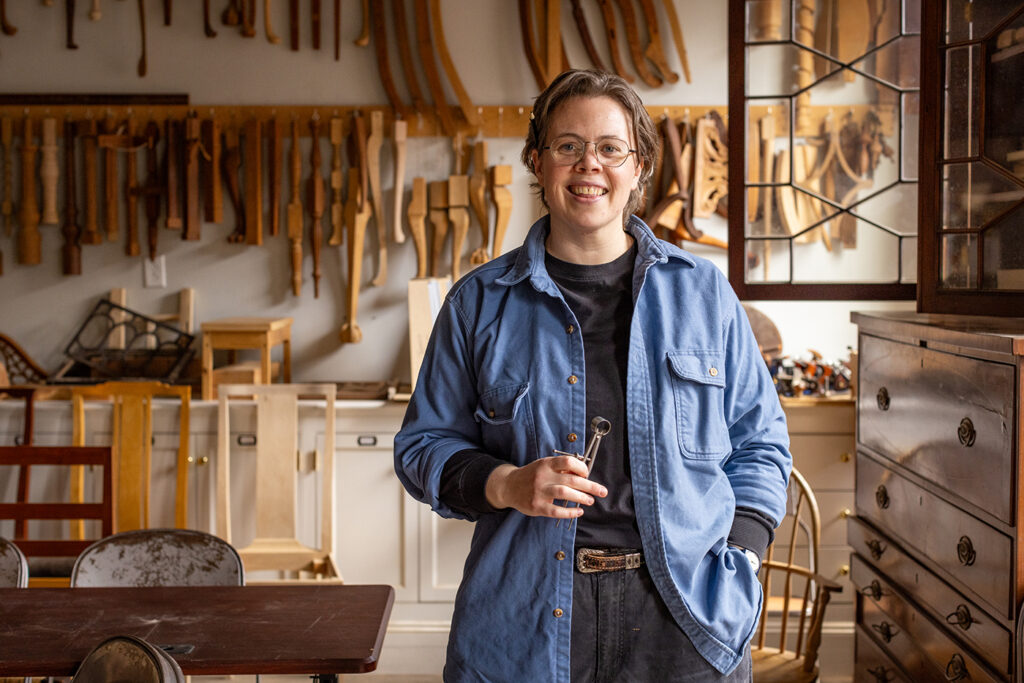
[971, 552]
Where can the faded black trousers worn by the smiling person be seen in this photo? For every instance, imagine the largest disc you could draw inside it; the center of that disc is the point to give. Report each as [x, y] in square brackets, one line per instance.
[622, 631]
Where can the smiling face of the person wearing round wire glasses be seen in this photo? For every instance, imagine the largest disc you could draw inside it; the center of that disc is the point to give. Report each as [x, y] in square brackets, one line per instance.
[586, 196]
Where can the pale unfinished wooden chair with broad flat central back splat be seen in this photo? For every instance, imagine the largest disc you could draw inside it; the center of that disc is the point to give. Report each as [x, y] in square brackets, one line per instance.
[276, 546]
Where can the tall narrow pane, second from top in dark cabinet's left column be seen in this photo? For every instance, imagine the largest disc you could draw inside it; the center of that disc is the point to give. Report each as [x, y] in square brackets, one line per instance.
[962, 103]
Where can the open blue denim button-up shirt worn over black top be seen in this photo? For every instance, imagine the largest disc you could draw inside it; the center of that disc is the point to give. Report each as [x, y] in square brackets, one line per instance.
[504, 373]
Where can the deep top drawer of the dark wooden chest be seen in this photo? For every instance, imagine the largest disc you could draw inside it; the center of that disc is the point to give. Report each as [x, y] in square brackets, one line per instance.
[947, 417]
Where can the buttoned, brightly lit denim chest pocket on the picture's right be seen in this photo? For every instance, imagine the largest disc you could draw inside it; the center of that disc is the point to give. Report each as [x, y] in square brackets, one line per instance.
[698, 380]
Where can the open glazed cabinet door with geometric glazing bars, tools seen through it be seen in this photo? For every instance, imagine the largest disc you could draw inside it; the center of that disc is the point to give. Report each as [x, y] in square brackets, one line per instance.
[827, 93]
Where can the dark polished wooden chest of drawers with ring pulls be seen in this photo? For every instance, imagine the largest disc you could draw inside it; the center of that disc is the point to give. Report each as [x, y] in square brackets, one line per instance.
[937, 535]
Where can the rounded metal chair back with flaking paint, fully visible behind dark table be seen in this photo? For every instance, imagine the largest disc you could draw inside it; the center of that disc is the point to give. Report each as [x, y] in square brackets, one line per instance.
[158, 558]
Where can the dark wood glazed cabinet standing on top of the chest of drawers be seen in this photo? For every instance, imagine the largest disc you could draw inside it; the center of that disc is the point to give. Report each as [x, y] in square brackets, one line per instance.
[972, 209]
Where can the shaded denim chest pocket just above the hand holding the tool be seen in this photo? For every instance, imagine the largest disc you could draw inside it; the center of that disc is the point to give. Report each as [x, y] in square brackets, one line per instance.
[506, 420]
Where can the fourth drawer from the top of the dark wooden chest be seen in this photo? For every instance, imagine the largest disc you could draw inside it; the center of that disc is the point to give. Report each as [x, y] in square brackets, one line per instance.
[911, 637]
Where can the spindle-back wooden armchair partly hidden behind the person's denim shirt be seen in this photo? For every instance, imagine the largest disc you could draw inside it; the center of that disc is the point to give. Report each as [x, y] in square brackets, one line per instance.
[796, 596]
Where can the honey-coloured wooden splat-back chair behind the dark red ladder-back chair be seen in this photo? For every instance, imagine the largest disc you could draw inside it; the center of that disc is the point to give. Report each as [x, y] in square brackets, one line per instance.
[133, 443]
